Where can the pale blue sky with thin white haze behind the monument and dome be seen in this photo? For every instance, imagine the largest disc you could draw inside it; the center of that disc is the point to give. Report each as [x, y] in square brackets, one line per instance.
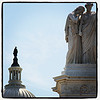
[37, 29]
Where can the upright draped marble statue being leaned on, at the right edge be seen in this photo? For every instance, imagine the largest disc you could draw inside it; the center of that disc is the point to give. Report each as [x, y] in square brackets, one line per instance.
[87, 31]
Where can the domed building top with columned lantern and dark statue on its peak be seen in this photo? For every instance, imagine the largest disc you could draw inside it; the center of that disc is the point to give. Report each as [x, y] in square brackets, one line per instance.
[15, 88]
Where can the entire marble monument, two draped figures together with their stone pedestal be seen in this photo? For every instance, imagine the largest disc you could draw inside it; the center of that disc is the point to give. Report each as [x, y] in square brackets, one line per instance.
[79, 76]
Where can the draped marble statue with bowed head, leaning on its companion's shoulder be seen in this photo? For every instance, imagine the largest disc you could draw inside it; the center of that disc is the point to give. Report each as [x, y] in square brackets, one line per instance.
[72, 36]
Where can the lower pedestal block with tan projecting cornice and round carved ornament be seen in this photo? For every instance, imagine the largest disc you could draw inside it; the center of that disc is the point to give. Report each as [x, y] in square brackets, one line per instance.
[75, 87]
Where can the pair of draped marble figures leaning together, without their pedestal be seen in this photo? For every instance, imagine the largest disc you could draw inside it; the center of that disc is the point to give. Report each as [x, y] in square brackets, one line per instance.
[80, 33]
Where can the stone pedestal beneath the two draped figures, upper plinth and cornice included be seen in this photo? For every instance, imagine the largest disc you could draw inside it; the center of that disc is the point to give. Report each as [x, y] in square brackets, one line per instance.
[77, 80]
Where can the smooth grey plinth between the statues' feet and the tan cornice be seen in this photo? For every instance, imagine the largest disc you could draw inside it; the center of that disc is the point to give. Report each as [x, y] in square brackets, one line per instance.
[83, 70]
